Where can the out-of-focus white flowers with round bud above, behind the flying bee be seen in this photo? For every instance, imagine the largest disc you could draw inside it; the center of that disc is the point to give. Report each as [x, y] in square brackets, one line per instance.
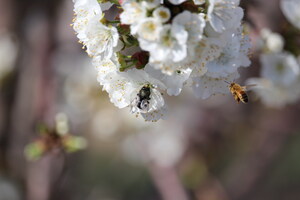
[280, 73]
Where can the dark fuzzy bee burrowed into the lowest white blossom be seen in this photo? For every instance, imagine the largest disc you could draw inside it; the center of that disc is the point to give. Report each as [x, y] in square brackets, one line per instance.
[142, 100]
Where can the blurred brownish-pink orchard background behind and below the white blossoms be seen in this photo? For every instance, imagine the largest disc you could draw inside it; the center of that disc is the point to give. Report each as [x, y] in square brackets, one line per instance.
[210, 149]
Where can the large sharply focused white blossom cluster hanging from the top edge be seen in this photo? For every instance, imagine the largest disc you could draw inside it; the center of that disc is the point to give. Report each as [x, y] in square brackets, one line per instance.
[145, 49]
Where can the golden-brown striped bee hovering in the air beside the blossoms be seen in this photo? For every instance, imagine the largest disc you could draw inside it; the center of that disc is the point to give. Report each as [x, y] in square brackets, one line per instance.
[239, 92]
